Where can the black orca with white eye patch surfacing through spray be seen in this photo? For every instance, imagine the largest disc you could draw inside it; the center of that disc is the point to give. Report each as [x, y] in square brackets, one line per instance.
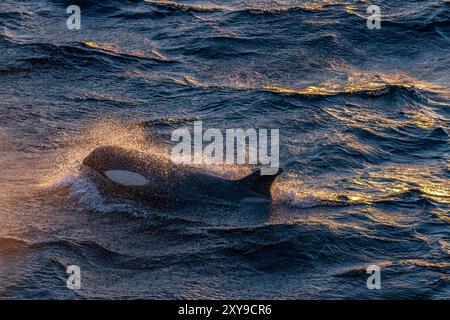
[140, 176]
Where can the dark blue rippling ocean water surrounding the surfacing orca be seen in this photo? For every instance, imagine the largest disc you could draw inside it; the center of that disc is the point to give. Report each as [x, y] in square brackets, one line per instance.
[364, 134]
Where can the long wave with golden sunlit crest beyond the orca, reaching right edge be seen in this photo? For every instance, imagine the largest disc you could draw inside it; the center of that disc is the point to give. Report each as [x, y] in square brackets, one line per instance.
[358, 84]
